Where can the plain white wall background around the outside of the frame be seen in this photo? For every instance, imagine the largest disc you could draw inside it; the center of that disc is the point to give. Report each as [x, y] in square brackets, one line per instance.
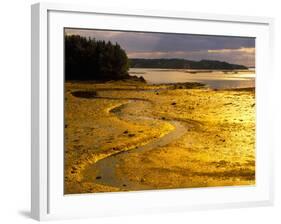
[15, 110]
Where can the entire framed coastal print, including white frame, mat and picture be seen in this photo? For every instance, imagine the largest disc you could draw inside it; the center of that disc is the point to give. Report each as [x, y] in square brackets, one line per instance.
[148, 111]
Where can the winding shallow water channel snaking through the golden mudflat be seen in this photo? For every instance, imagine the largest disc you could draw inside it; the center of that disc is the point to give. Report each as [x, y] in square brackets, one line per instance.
[105, 169]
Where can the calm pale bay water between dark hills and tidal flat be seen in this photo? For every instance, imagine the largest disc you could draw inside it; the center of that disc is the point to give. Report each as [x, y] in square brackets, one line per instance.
[213, 79]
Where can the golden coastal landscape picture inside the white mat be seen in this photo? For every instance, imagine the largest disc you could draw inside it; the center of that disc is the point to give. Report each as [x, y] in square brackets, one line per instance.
[152, 111]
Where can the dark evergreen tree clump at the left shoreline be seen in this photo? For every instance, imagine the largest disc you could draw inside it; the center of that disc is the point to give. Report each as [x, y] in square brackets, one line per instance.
[91, 59]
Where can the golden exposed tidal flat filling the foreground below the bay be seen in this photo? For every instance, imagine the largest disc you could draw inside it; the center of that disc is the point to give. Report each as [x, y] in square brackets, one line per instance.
[125, 135]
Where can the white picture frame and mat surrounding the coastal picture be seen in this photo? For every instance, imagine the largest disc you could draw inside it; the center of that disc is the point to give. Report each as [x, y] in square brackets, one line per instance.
[48, 201]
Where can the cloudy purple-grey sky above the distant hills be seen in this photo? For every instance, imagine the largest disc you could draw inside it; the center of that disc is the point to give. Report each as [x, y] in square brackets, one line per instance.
[236, 50]
